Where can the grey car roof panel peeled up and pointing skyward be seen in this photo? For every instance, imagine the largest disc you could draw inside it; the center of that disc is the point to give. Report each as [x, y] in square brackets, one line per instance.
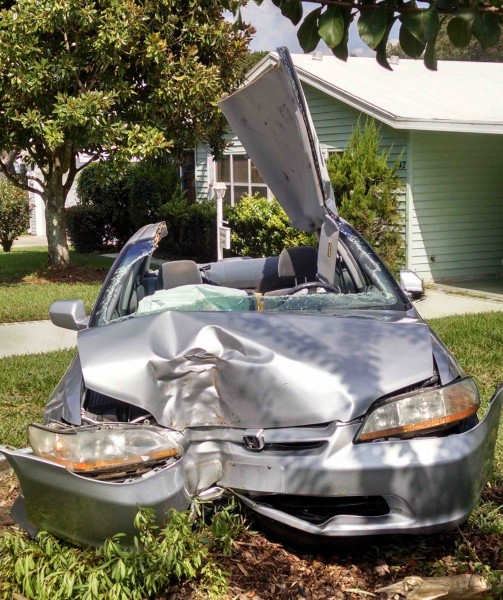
[271, 119]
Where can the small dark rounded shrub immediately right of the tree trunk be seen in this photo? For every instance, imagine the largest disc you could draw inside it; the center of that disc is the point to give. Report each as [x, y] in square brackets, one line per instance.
[85, 227]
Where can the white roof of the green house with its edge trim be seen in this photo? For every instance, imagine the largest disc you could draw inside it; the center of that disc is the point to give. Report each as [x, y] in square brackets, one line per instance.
[448, 81]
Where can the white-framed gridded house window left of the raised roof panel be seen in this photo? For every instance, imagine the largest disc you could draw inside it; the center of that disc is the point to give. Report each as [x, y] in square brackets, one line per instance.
[240, 176]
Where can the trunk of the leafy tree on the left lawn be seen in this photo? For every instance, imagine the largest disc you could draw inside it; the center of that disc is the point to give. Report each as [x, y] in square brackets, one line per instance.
[55, 220]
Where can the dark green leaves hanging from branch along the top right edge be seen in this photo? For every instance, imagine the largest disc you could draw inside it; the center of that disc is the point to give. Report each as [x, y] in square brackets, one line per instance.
[419, 24]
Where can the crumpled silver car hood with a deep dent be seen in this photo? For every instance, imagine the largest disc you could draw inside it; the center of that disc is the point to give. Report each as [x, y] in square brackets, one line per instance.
[254, 370]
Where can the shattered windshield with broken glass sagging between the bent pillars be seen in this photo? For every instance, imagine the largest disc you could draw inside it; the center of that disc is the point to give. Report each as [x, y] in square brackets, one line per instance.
[136, 287]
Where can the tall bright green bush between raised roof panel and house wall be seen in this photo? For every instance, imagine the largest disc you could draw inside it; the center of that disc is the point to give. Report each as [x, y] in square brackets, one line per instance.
[366, 189]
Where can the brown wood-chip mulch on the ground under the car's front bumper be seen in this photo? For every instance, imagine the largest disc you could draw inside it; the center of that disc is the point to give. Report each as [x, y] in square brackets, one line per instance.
[263, 569]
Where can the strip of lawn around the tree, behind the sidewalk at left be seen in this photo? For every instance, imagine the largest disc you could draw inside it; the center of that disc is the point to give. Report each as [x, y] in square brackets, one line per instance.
[28, 288]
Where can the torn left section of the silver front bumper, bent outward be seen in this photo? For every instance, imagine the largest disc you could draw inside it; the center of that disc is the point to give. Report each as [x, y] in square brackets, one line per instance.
[87, 511]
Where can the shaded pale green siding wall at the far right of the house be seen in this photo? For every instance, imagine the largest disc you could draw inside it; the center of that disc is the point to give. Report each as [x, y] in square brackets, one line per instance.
[455, 212]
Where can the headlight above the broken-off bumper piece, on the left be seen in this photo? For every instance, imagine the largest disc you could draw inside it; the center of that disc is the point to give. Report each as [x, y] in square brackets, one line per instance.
[102, 448]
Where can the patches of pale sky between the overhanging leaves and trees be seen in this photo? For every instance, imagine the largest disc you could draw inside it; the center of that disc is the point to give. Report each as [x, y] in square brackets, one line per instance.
[273, 30]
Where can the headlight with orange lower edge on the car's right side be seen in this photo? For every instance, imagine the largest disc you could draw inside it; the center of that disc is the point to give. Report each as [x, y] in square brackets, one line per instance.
[420, 411]
